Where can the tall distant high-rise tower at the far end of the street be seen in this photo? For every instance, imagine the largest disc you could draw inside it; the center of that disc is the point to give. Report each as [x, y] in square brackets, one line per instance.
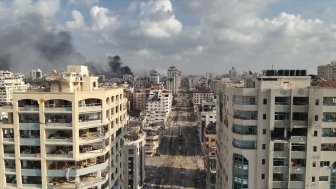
[173, 79]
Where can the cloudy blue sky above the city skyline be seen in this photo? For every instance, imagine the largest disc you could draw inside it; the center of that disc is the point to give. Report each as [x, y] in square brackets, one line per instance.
[196, 36]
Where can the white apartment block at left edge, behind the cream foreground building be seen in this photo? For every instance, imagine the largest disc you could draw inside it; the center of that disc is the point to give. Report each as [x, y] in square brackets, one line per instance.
[10, 83]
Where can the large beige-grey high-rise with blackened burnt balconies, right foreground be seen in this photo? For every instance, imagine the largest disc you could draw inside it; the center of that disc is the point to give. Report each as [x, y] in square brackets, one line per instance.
[277, 132]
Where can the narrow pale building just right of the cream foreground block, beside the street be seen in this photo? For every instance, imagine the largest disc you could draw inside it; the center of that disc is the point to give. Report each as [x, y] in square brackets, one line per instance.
[134, 164]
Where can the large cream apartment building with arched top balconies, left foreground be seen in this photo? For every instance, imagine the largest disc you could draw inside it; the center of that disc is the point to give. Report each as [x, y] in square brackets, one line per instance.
[67, 135]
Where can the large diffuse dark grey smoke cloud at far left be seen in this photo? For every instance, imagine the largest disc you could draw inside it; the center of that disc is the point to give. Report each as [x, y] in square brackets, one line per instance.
[30, 41]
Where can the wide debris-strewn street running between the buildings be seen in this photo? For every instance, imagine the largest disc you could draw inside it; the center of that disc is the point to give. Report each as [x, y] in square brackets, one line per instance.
[180, 163]
